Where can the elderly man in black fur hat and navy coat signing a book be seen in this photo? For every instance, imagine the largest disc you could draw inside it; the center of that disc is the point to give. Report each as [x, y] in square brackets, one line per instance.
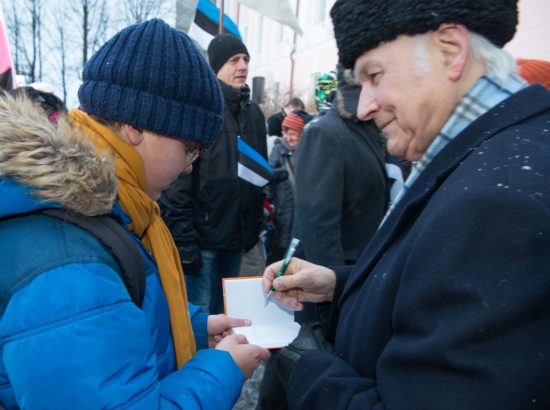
[447, 308]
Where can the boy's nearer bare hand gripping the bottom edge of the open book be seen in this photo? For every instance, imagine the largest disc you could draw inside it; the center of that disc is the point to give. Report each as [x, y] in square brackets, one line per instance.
[246, 356]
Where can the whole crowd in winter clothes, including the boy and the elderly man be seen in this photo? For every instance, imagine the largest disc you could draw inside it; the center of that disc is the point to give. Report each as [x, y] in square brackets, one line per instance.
[418, 191]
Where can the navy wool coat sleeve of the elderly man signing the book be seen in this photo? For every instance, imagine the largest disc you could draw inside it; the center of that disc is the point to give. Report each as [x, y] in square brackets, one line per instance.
[470, 320]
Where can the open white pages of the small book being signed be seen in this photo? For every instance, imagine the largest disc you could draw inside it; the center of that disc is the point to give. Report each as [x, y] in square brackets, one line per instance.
[272, 325]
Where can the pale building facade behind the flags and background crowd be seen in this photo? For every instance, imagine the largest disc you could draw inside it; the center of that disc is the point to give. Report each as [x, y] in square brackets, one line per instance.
[291, 64]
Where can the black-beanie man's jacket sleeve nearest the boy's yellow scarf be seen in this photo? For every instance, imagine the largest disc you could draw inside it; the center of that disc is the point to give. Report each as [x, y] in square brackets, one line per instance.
[177, 211]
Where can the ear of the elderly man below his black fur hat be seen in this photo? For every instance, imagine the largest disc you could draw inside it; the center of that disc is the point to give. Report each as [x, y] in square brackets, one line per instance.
[454, 45]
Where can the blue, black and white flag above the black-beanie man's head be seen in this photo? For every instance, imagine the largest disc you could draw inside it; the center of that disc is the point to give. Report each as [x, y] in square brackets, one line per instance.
[206, 24]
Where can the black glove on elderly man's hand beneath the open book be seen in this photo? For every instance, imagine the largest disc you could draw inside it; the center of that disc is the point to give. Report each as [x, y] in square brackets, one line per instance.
[312, 336]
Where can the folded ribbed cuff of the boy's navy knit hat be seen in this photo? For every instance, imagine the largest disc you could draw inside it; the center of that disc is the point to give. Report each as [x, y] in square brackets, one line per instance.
[149, 111]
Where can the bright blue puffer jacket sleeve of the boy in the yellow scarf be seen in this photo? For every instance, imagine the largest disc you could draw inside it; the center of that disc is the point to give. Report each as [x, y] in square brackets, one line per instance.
[72, 338]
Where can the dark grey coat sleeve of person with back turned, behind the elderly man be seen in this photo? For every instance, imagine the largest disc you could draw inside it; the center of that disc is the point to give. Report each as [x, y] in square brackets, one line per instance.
[319, 191]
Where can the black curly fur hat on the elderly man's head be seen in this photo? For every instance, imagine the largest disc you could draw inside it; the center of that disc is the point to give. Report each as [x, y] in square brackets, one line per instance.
[361, 25]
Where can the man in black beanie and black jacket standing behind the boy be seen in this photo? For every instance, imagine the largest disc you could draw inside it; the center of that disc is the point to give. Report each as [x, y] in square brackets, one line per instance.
[215, 213]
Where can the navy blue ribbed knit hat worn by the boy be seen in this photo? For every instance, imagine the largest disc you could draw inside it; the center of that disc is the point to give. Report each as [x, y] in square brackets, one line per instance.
[151, 76]
